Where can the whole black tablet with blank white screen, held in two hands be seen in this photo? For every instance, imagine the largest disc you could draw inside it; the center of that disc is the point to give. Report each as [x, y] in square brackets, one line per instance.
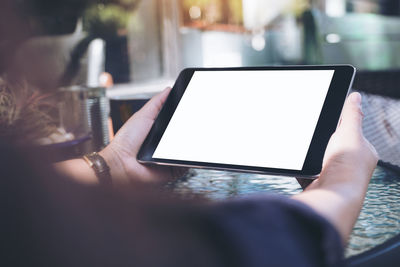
[272, 120]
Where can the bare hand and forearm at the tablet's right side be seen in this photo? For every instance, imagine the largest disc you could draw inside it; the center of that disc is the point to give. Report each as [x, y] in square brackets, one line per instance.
[349, 162]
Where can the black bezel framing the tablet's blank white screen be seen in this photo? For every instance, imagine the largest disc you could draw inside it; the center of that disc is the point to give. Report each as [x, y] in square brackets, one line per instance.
[327, 122]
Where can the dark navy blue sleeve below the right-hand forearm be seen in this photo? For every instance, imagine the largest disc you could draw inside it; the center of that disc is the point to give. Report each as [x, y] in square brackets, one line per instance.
[277, 231]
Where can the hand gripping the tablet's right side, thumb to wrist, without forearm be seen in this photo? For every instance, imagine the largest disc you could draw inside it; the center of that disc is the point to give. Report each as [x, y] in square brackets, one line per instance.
[349, 158]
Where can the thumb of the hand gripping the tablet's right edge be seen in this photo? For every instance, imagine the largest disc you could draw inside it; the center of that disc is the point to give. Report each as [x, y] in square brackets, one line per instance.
[352, 115]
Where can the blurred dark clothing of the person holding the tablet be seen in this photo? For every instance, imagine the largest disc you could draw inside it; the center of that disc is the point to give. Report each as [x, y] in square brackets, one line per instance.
[50, 221]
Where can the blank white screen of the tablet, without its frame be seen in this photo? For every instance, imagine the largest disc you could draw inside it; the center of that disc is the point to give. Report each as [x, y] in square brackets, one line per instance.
[254, 118]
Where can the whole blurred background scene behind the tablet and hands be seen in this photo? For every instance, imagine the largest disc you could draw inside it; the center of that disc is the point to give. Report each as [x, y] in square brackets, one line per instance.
[67, 52]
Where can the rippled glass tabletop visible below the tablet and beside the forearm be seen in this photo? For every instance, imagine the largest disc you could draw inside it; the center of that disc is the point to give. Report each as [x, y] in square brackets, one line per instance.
[379, 219]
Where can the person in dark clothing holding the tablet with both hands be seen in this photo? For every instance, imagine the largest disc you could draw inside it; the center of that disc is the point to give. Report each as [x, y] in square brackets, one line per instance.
[65, 215]
